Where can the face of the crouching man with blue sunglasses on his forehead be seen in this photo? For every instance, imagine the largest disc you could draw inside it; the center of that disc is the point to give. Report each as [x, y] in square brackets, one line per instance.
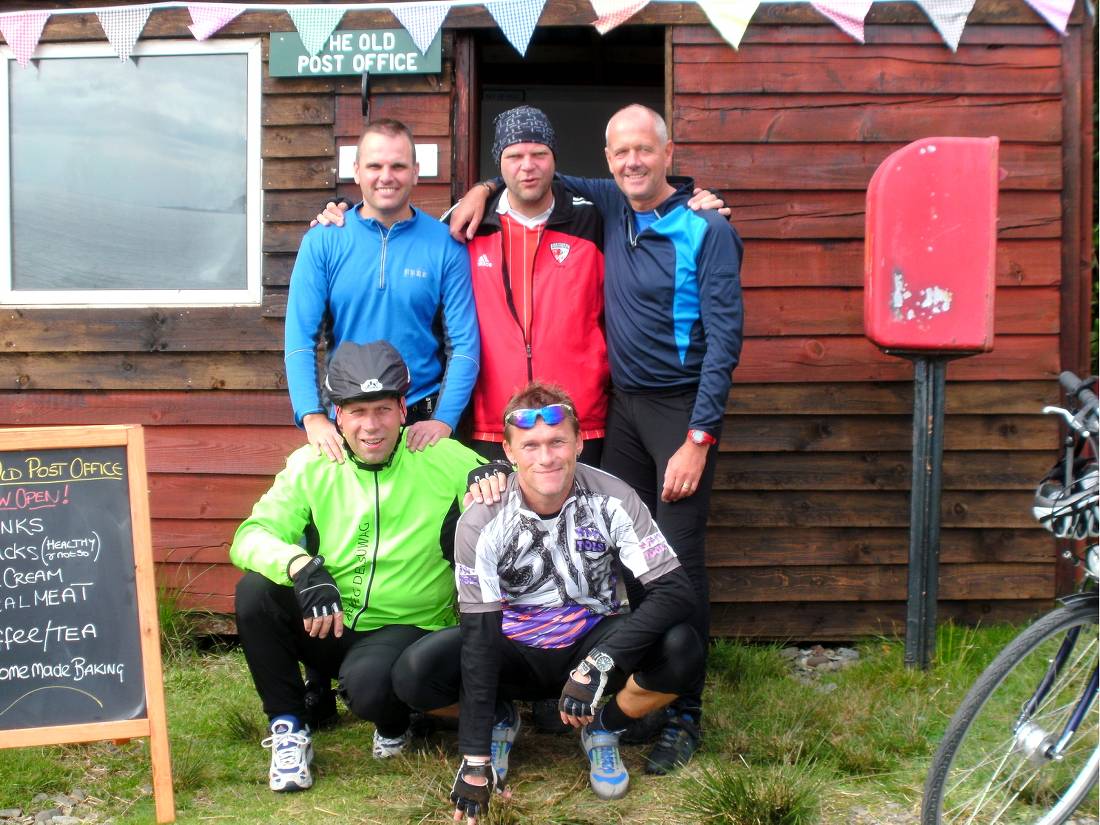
[545, 458]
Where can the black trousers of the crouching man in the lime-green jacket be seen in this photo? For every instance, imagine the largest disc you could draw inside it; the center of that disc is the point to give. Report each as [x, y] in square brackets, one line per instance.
[269, 622]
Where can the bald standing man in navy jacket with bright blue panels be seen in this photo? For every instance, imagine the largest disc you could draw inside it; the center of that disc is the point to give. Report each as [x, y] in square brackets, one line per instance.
[674, 313]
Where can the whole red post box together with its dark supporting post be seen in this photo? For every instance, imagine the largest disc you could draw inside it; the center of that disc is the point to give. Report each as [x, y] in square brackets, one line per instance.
[929, 298]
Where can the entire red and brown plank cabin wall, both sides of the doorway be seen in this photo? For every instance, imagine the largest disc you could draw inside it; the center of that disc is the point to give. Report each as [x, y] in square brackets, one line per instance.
[809, 523]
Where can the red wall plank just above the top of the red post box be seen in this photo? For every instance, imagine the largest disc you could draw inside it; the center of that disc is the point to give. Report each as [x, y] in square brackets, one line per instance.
[849, 118]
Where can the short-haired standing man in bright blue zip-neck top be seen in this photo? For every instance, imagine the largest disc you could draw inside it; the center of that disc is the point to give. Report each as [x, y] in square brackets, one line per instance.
[394, 276]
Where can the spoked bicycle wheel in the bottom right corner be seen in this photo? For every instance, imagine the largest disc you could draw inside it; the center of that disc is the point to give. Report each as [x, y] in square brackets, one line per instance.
[978, 777]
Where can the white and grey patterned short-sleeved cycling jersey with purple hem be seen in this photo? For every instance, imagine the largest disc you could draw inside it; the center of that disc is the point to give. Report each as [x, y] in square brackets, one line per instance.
[555, 579]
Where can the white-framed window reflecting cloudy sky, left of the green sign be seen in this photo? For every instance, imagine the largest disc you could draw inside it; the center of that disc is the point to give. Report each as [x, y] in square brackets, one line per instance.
[131, 183]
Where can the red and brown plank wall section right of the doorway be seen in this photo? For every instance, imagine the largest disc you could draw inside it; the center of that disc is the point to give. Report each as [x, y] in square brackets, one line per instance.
[810, 514]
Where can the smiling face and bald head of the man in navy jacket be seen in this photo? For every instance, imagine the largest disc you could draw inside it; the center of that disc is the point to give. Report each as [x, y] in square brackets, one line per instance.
[639, 158]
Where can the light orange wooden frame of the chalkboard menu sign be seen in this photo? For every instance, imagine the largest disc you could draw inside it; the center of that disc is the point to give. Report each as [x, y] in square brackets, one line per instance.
[155, 725]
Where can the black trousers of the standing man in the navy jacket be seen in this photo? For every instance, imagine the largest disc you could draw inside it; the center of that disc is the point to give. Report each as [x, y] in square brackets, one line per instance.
[644, 431]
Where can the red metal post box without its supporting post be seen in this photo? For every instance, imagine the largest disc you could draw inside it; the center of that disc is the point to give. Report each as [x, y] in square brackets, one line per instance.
[931, 247]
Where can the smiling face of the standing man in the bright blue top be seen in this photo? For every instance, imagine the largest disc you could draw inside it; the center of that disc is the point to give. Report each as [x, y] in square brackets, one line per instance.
[387, 172]
